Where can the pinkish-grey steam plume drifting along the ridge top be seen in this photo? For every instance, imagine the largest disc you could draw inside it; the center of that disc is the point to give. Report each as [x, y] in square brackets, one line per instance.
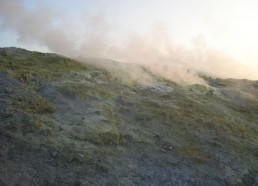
[94, 36]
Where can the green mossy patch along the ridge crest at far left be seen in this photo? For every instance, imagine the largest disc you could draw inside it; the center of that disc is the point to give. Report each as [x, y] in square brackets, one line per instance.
[27, 64]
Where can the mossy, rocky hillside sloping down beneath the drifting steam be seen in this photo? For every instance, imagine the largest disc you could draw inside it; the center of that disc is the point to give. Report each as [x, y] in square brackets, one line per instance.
[67, 123]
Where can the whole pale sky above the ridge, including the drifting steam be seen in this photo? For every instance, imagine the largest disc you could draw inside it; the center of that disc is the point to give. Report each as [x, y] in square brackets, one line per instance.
[214, 36]
